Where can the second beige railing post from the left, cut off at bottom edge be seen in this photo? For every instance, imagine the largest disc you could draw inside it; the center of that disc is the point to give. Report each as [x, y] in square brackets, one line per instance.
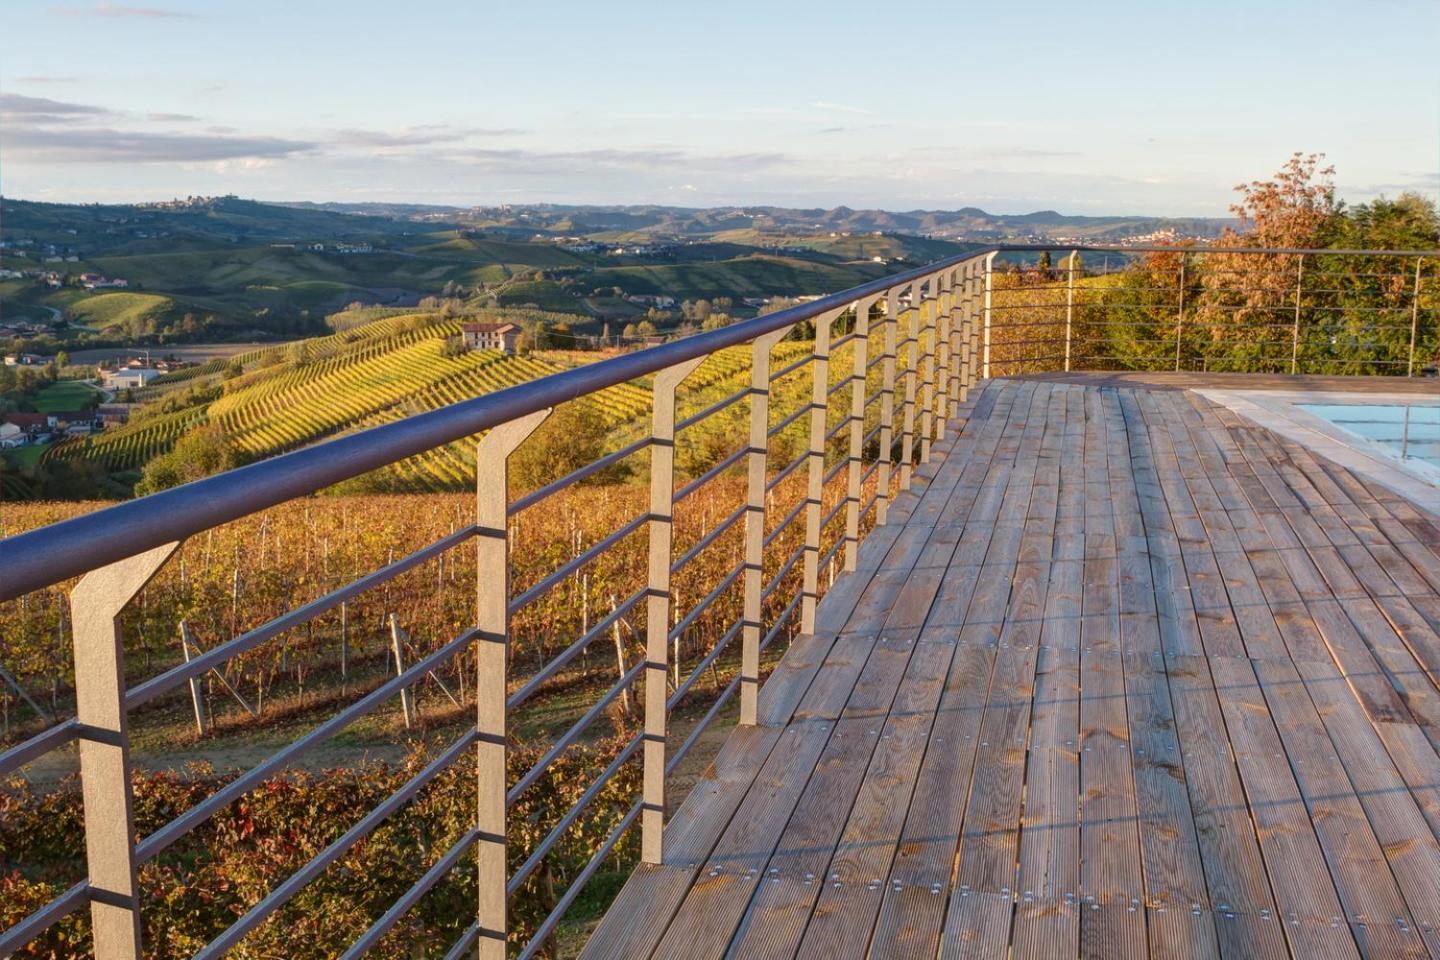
[492, 671]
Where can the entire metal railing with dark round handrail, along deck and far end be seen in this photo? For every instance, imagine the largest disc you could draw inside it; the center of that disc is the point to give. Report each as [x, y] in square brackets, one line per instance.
[911, 349]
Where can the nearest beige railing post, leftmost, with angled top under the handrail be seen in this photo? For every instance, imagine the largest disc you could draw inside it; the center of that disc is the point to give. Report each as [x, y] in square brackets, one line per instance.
[104, 746]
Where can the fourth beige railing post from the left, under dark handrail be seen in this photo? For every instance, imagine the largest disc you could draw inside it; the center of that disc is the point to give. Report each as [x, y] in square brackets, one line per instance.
[757, 461]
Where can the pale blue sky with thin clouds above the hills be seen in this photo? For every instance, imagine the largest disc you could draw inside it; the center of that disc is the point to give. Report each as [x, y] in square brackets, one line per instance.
[1110, 107]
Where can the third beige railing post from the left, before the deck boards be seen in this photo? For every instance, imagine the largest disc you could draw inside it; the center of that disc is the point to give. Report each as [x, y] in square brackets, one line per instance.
[659, 602]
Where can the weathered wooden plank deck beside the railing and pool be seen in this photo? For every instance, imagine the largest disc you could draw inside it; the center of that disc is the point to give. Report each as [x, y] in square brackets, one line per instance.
[1125, 677]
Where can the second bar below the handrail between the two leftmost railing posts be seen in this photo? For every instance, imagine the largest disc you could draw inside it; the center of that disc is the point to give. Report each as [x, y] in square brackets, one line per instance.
[175, 830]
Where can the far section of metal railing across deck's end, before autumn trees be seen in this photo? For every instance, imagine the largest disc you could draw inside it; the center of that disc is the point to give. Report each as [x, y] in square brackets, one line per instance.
[1243, 310]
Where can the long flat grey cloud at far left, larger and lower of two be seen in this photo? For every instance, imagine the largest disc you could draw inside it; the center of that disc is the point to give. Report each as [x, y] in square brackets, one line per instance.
[100, 145]
